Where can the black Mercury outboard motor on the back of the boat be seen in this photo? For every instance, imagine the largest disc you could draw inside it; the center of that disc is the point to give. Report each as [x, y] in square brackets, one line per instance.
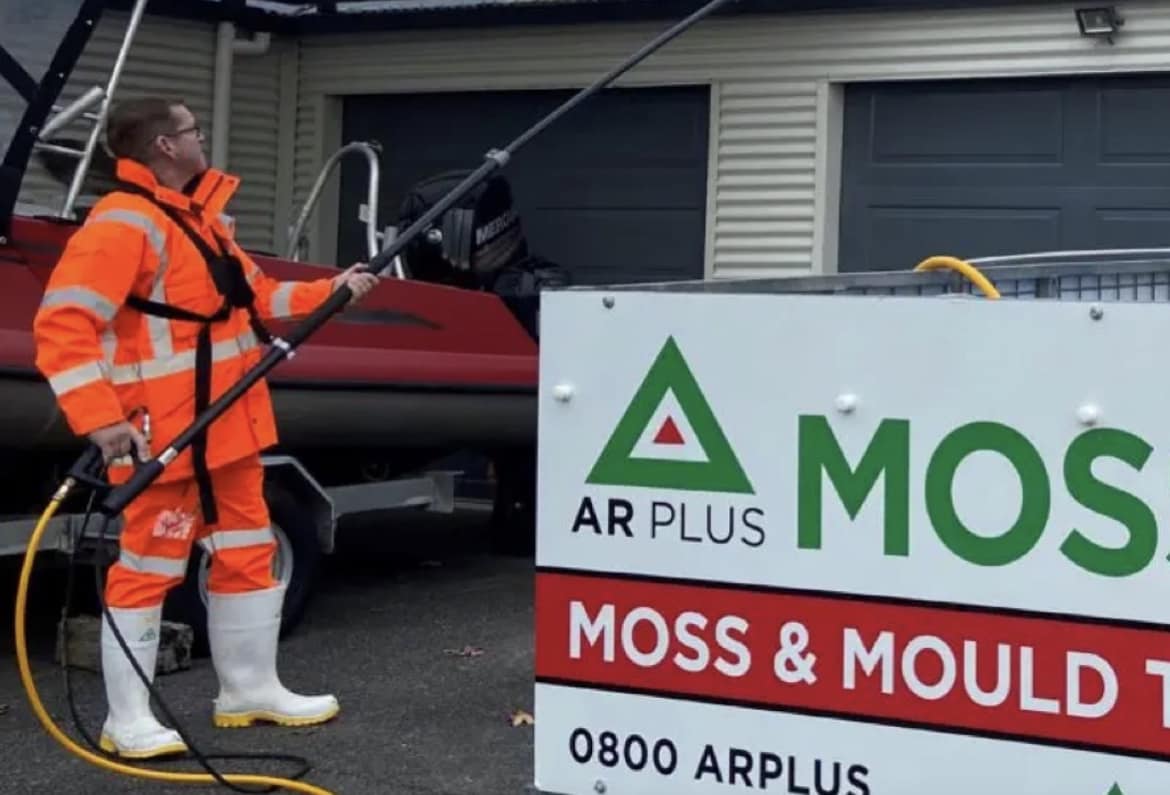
[478, 244]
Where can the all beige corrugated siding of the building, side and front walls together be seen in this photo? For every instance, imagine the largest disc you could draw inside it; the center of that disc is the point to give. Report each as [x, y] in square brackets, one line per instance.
[777, 86]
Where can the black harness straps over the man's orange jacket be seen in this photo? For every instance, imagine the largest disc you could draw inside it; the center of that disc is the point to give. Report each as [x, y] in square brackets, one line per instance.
[232, 285]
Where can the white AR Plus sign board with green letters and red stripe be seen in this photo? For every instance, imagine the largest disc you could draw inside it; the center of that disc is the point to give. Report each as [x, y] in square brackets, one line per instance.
[852, 546]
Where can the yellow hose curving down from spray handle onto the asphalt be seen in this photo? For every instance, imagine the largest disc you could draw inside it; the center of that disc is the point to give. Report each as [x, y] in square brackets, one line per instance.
[35, 698]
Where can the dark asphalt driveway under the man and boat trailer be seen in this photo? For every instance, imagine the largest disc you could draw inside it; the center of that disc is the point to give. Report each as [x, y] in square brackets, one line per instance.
[425, 638]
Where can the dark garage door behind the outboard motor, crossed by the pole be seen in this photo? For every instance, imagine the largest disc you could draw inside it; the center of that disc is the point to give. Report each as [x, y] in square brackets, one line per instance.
[615, 191]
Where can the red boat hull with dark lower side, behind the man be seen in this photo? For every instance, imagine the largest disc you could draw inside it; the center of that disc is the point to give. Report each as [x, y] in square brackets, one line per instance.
[415, 367]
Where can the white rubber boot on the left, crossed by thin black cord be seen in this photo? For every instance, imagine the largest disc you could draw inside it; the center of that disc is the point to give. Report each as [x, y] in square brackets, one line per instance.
[132, 729]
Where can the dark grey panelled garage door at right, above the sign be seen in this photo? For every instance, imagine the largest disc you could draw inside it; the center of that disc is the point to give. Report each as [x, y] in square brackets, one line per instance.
[983, 168]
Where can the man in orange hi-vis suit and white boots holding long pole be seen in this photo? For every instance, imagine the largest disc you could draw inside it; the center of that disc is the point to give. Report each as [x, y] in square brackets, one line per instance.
[153, 312]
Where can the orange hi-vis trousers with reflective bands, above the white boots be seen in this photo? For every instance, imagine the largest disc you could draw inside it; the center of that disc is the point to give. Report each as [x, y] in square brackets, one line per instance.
[161, 526]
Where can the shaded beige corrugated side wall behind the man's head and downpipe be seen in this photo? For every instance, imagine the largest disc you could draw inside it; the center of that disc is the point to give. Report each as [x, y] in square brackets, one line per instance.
[178, 58]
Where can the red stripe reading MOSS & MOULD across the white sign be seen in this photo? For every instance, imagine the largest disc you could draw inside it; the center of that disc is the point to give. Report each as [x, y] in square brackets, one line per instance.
[1052, 681]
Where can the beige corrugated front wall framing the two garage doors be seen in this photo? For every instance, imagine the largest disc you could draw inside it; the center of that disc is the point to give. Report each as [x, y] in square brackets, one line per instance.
[779, 80]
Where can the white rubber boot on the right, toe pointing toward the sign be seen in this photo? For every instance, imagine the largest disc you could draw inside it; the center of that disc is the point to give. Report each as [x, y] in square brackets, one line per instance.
[243, 630]
